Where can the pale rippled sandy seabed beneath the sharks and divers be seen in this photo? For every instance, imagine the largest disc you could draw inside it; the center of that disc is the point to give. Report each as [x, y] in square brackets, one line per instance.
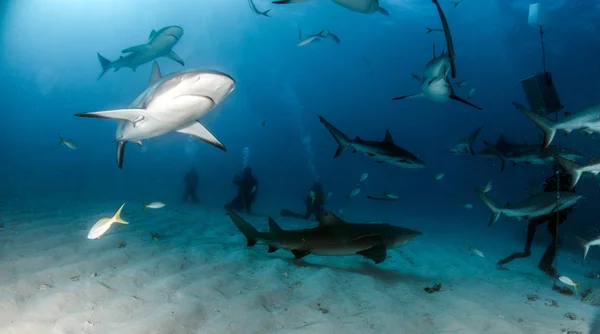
[198, 276]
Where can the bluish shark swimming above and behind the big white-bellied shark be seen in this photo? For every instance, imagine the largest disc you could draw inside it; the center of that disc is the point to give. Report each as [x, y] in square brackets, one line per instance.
[160, 44]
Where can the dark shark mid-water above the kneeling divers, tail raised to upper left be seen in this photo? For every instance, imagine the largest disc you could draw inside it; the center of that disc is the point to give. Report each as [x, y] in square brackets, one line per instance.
[383, 151]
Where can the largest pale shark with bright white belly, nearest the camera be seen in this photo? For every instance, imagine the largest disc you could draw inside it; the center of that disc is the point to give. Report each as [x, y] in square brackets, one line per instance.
[170, 103]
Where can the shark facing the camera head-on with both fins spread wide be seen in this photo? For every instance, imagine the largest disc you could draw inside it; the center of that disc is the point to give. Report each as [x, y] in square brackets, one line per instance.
[435, 84]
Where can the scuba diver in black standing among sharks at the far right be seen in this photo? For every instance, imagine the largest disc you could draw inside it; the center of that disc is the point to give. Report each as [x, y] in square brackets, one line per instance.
[553, 219]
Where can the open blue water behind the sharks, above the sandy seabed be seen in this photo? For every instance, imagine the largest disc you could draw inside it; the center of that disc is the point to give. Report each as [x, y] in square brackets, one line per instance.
[49, 68]
